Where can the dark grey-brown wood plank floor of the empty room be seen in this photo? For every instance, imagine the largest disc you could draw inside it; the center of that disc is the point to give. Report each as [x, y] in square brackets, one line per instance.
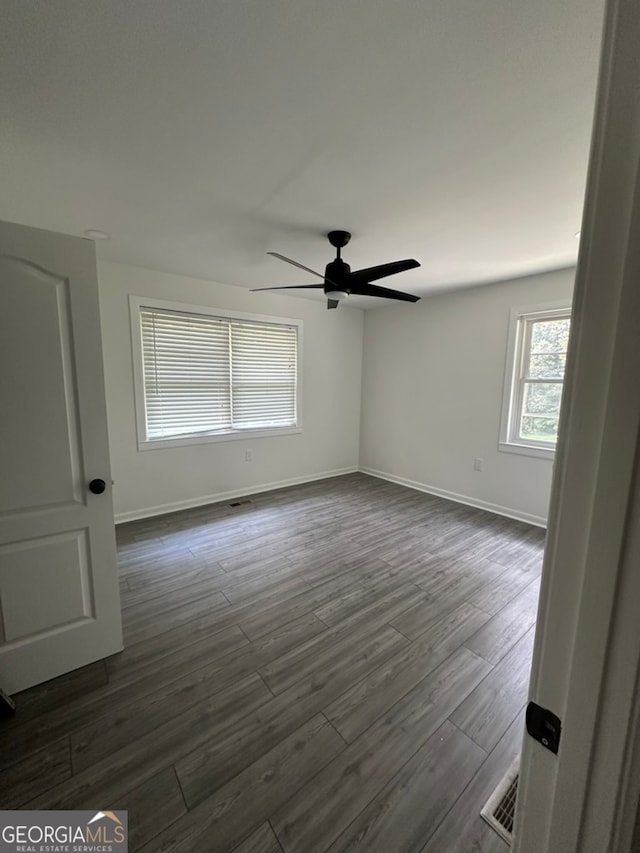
[337, 666]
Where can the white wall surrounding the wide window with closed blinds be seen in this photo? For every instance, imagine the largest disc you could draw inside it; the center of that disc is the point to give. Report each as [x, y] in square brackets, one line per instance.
[152, 481]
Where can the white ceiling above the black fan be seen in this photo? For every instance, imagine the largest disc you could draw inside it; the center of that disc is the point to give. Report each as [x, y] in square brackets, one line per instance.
[203, 133]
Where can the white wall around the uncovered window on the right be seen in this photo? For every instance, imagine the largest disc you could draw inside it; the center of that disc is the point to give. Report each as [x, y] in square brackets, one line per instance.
[432, 396]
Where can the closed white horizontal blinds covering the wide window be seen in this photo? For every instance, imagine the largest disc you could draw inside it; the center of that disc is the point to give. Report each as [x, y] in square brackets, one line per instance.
[205, 375]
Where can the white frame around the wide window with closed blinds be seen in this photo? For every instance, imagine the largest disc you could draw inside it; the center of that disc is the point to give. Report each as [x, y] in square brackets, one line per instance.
[136, 303]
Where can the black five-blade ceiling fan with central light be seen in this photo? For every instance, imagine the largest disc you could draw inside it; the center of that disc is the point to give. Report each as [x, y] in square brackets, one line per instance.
[339, 282]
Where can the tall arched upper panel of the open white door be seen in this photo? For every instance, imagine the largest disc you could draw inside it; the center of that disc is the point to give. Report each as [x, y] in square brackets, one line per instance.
[34, 327]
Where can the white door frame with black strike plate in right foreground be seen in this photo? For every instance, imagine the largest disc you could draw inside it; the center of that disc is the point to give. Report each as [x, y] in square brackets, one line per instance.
[586, 663]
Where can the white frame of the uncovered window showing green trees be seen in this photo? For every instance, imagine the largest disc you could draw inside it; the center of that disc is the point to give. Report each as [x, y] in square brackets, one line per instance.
[520, 320]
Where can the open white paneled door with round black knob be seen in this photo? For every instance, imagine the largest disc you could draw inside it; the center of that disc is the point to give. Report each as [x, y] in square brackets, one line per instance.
[59, 598]
